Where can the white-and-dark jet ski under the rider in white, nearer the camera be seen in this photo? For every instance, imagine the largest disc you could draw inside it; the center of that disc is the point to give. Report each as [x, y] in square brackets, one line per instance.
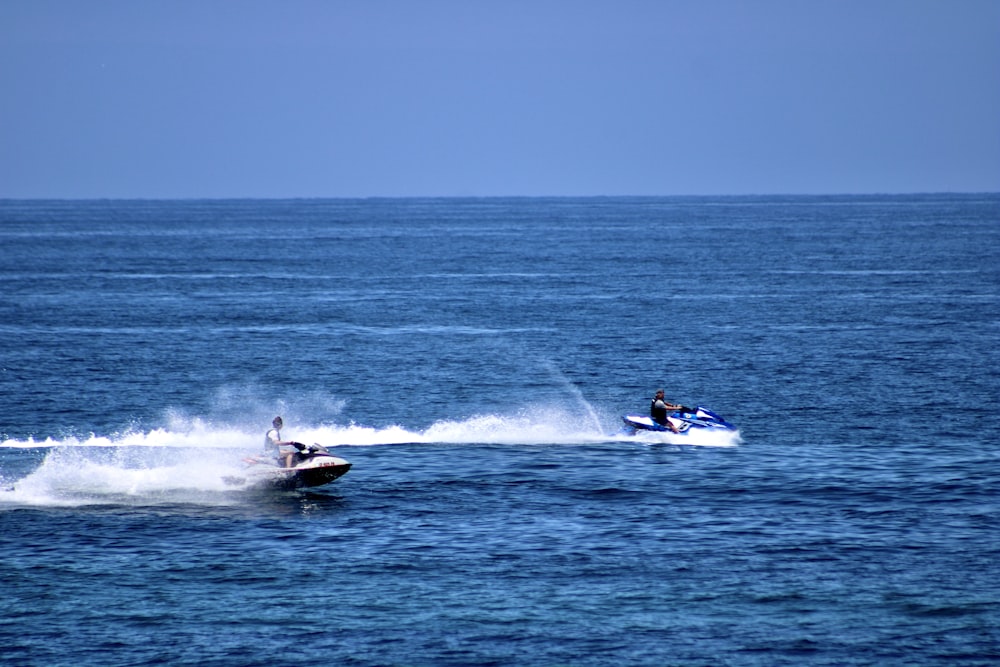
[314, 465]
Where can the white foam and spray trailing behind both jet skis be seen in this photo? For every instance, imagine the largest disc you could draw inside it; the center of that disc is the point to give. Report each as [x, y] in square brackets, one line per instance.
[191, 459]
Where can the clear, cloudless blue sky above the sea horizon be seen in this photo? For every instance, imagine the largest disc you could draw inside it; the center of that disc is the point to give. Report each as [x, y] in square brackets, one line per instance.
[398, 98]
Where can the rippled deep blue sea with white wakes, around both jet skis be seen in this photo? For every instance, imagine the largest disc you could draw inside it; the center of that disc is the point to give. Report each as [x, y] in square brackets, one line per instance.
[472, 359]
